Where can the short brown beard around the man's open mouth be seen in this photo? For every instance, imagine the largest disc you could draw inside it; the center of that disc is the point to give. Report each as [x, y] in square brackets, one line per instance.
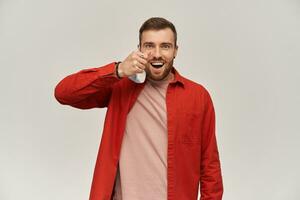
[165, 70]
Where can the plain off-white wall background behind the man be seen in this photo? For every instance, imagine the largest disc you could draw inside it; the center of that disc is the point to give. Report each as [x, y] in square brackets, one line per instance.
[246, 53]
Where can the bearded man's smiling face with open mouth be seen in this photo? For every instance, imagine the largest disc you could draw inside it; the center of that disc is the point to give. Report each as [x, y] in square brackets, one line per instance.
[160, 45]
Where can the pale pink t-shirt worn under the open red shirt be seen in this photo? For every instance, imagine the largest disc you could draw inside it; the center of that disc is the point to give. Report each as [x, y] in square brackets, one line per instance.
[142, 172]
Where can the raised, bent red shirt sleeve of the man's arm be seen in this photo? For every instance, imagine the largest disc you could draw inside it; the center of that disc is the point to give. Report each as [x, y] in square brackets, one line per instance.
[88, 88]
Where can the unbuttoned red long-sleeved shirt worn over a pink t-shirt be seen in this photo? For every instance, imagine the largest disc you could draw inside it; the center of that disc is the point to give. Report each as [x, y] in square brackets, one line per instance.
[193, 156]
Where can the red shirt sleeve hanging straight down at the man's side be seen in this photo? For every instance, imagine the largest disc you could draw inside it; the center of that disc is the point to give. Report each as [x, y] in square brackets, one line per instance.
[211, 184]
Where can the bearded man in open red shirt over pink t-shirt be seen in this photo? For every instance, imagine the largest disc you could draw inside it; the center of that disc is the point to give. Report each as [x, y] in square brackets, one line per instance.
[159, 139]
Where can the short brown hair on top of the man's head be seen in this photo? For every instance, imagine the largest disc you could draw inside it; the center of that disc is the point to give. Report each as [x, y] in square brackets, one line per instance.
[157, 23]
